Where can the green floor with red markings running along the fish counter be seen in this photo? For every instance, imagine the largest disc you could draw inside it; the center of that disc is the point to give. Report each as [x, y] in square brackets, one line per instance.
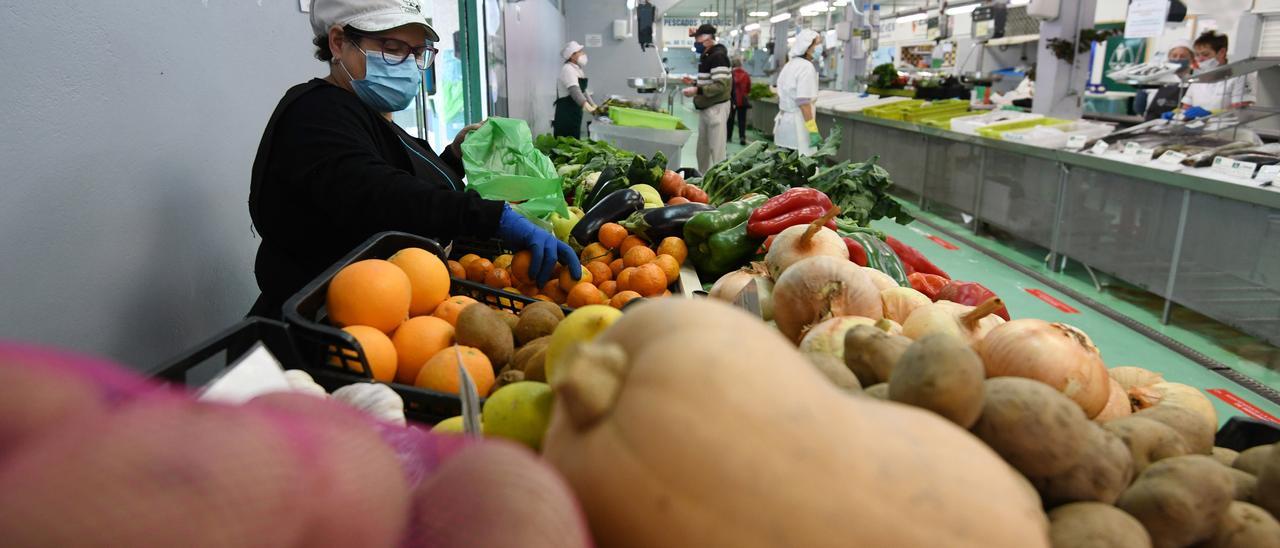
[1118, 342]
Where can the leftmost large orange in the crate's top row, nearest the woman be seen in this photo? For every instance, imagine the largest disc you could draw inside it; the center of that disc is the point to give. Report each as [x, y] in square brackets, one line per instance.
[372, 293]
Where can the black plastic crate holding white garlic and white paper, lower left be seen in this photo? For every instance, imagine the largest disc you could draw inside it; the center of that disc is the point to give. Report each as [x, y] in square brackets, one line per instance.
[202, 366]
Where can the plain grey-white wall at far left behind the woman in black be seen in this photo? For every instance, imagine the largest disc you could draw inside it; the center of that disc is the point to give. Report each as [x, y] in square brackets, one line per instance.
[130, 130]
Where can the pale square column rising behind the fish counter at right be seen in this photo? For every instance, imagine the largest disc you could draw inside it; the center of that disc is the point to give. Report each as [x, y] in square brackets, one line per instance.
[1059, 85]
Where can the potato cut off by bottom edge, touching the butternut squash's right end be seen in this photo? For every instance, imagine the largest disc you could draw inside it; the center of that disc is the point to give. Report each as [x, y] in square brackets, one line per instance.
[1095, 526]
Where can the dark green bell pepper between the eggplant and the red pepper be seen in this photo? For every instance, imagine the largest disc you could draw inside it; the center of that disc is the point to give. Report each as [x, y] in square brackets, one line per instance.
[719, 241]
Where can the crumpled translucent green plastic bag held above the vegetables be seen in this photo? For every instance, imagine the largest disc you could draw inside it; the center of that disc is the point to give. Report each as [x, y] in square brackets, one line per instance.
[504, 165]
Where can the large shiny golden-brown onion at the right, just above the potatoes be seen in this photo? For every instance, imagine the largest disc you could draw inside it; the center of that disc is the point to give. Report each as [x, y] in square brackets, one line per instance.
[1058, 355]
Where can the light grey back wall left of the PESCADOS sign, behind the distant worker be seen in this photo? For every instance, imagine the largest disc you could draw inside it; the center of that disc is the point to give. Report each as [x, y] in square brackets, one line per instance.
[616, 61]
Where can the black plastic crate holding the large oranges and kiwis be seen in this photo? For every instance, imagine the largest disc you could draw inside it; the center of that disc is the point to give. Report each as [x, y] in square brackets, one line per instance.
[333, 357]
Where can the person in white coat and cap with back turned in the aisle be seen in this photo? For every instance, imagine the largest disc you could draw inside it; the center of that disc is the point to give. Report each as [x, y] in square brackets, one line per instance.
[797, 126]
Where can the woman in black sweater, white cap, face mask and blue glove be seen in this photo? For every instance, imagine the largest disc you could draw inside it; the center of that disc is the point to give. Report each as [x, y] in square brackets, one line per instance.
[333, 170]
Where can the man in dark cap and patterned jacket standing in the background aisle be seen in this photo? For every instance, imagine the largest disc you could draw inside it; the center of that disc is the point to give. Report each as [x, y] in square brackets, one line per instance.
[711, 93]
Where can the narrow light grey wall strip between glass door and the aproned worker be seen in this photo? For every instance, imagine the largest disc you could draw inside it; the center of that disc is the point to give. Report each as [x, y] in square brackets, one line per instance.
[536, 35]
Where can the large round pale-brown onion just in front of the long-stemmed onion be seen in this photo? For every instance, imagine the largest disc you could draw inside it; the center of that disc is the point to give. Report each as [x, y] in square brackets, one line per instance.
[819, 289]
